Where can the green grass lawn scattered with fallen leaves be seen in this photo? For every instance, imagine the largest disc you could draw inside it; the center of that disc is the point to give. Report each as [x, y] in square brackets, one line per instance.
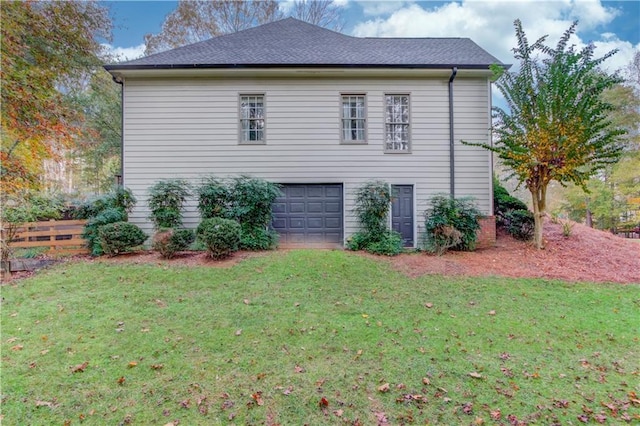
[315, 337]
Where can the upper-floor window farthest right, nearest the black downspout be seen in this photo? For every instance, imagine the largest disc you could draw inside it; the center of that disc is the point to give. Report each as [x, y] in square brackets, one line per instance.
[396, 134]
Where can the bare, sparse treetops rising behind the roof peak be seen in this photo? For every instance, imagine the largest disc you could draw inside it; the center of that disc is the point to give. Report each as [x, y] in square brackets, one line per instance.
[198, 20]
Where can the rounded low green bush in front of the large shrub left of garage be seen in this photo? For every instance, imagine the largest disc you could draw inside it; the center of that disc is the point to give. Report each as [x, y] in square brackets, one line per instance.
[220, 236]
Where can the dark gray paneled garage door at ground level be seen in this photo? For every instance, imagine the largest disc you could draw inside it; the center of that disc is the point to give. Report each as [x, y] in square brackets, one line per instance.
[309, 215]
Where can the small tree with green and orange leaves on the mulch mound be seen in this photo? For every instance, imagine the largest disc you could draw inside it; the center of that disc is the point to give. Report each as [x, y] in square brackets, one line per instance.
[558, 125]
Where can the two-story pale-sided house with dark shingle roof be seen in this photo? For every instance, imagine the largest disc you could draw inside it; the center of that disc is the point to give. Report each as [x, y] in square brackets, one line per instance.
[318, 112]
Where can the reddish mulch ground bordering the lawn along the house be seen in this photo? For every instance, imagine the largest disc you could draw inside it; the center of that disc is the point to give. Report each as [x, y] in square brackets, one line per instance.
[587, 255]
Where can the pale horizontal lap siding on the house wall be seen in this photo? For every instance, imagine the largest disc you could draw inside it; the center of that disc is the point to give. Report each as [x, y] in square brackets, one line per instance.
[188, 128]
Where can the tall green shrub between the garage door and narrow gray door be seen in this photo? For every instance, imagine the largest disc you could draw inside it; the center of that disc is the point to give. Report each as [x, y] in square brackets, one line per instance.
[372, 204]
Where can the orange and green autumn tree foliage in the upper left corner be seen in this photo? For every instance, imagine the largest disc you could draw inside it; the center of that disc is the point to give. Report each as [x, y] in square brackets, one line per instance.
[48, 49]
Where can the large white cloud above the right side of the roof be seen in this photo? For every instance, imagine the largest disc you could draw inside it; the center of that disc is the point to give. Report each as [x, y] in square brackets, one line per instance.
[490, 23]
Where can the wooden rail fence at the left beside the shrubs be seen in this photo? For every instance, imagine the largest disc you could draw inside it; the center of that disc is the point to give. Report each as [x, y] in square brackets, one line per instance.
[60, 236]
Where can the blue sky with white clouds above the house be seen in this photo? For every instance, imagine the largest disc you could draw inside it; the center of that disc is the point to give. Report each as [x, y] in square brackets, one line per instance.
[608, 24]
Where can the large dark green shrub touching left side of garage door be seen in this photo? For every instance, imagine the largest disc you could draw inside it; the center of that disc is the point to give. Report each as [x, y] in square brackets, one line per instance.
[246, 200]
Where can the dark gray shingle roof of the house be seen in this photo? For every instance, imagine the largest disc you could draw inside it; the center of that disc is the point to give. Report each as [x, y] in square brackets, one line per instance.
[290, 42]
